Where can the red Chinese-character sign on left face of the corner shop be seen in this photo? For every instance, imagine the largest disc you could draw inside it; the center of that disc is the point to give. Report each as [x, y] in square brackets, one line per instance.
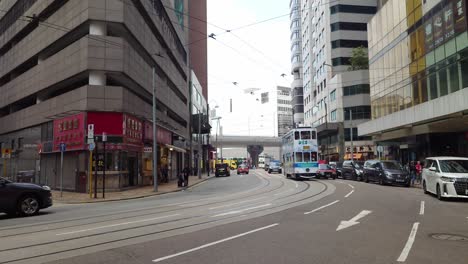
[70, 131]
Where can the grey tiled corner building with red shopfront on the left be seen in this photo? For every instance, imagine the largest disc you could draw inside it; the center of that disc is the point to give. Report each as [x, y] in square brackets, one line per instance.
[67, 64]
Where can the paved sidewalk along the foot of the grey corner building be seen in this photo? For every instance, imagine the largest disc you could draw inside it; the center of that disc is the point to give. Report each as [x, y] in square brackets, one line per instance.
[134, 193]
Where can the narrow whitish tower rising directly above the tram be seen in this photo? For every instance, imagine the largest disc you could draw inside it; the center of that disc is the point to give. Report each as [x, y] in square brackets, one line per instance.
[296, 62]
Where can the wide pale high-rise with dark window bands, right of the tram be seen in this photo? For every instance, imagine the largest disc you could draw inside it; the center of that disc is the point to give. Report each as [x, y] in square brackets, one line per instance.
[334, 93]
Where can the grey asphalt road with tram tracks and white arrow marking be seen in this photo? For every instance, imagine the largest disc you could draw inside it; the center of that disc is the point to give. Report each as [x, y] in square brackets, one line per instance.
[255, 218]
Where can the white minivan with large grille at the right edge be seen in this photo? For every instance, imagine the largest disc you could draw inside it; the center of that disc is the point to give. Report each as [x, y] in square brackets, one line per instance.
[446, 177]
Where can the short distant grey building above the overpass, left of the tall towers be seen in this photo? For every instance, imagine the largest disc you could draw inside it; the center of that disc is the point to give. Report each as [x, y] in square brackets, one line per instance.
[284, 110]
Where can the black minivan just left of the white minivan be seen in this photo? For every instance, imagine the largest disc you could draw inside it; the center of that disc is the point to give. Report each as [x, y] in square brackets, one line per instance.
[386, 172]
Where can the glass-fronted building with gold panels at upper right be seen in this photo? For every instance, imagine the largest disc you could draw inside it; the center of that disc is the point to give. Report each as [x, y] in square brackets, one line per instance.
[418, 70]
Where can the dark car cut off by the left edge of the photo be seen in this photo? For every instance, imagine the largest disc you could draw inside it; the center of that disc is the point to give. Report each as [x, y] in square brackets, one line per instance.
[25, 199]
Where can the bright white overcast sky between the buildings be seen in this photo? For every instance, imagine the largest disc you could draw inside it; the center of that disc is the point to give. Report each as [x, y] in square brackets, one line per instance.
[253, 56]
